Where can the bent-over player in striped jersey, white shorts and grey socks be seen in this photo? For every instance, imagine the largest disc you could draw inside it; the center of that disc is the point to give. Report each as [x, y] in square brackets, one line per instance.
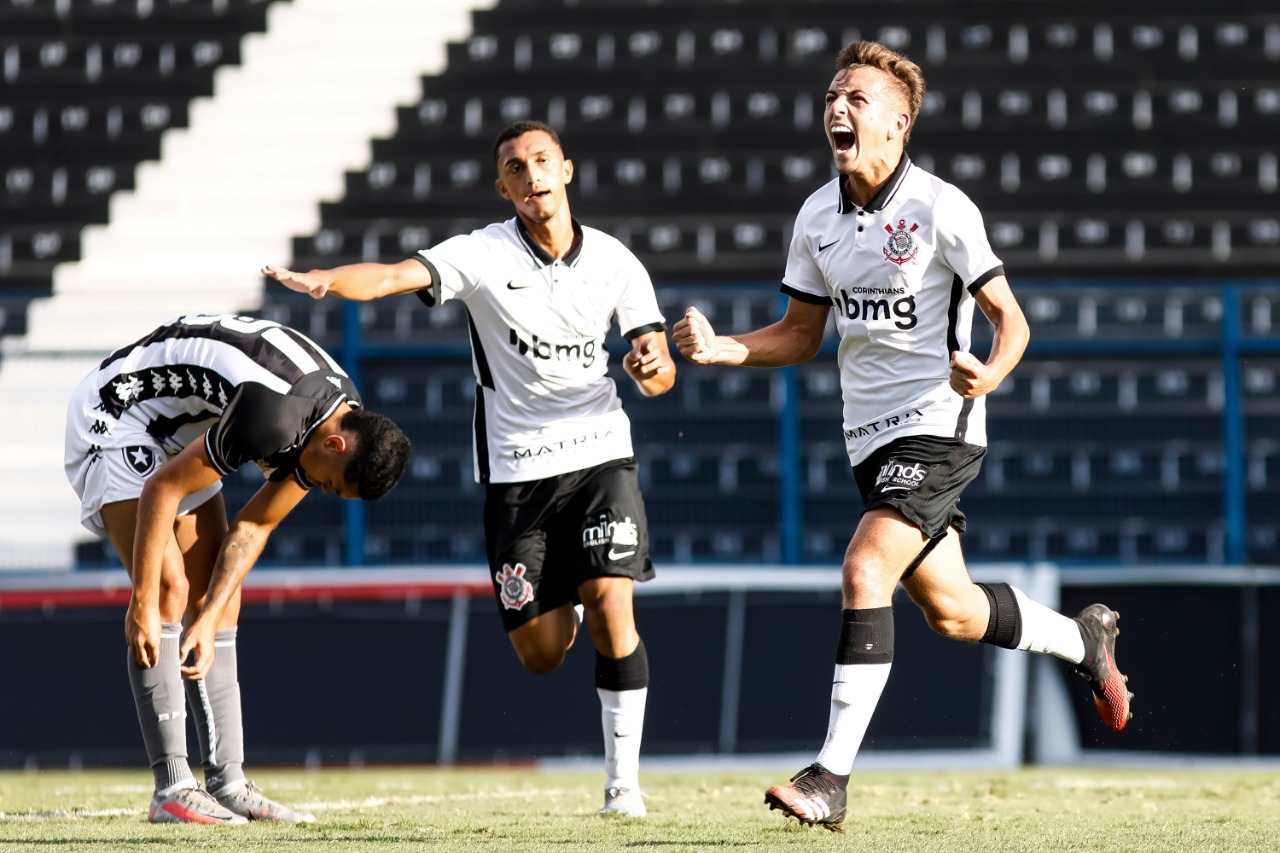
[150, 435]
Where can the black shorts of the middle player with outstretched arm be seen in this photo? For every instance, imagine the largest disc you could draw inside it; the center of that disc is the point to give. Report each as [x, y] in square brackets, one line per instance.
[546, 537]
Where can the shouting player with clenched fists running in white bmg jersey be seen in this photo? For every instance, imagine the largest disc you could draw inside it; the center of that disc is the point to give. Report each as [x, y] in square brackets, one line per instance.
[903, 258]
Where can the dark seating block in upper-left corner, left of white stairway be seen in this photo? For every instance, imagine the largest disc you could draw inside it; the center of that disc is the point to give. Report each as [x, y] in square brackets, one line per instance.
[90, 89]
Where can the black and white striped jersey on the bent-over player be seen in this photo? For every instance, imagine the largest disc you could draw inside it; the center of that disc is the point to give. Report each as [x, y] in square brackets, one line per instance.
[254, 389]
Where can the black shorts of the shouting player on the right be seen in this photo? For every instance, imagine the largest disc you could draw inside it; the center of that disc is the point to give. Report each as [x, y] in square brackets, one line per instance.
[921, 477]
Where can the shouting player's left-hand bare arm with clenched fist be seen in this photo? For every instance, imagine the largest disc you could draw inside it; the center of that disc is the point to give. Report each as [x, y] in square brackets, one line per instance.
[793, 340]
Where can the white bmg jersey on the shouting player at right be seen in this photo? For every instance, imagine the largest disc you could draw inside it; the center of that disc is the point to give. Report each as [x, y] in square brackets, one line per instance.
[900, 275]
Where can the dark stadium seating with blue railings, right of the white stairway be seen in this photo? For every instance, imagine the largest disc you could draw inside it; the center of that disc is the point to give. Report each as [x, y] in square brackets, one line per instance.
[1126, 189]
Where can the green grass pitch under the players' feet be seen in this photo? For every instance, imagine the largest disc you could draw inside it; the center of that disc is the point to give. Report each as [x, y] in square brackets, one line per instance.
[514, 810]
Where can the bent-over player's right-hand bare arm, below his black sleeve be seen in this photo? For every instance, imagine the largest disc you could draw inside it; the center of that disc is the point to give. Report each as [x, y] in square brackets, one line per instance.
[244, 545]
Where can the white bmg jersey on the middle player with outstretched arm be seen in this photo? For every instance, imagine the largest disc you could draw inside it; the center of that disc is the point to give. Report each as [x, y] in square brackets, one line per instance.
[545, 402]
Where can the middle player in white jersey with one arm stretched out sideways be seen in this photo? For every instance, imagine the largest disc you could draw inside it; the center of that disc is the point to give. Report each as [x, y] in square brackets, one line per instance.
[564, 517]
